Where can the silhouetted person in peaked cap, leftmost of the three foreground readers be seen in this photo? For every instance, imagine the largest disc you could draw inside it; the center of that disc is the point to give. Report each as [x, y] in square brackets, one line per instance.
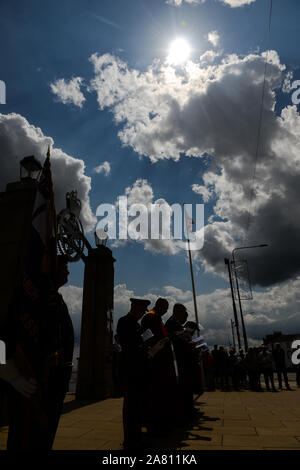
[134, 367]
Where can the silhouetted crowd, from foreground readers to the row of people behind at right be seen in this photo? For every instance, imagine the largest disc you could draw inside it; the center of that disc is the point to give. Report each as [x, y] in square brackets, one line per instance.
[164, 366]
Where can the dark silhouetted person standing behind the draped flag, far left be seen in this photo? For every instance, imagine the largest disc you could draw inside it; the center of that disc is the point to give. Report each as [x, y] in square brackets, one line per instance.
[32, 423]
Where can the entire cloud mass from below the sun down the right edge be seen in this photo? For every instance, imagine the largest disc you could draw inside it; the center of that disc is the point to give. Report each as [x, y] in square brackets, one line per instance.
[214, 109]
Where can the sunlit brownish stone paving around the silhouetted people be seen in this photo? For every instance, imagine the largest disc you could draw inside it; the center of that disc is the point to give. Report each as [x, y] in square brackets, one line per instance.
[227, 420]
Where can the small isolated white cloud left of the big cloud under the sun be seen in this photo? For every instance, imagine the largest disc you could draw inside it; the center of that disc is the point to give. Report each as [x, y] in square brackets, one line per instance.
[68, 92]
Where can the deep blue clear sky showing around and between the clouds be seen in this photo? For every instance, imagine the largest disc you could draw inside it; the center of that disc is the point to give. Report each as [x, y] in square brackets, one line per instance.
[43, 42]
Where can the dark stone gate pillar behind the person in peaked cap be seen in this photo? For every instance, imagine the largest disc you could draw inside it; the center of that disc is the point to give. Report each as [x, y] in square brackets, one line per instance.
[94, 379]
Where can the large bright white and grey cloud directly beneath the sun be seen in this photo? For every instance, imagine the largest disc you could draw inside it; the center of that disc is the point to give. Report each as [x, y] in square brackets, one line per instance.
[165, 113]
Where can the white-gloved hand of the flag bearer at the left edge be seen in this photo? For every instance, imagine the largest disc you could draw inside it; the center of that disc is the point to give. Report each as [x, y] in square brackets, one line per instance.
[11, 374]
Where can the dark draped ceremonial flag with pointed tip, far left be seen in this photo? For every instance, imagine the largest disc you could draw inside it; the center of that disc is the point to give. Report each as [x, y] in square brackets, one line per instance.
[40, 269]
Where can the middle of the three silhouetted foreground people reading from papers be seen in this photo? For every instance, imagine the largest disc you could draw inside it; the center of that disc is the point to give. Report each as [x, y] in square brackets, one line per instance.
[163, 393]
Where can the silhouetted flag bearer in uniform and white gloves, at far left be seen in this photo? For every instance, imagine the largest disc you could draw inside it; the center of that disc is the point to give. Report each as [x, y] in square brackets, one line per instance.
[35, 408]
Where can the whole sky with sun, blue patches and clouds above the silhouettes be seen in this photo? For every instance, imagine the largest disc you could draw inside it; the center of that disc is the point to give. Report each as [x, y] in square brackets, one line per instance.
[128, 113]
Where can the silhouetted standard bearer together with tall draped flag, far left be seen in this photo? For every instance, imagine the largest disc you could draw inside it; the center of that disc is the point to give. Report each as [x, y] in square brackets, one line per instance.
[40, 334]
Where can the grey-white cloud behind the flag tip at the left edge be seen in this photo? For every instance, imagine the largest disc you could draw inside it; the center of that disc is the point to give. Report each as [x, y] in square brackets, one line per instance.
[20, 139]
